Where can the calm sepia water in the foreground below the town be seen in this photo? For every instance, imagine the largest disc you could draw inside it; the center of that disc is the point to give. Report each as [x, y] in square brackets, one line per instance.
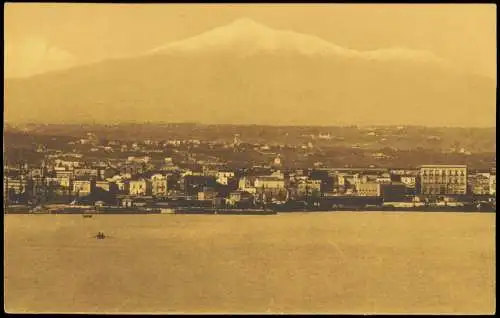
[350, 262]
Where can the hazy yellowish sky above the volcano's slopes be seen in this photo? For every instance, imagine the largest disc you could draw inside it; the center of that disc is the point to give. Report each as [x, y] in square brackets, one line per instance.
[41, 37]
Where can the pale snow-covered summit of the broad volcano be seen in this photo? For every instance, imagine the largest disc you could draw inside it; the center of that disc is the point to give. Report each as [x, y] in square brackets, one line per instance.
[246, 36]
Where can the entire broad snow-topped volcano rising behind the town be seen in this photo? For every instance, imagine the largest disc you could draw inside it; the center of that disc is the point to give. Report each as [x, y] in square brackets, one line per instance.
[247, 73]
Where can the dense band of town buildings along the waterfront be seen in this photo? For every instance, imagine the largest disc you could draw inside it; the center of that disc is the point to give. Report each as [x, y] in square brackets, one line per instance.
[135, 179]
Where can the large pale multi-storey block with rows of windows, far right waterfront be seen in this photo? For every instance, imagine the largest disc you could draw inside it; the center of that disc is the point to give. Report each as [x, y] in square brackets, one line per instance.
[443, 179]
